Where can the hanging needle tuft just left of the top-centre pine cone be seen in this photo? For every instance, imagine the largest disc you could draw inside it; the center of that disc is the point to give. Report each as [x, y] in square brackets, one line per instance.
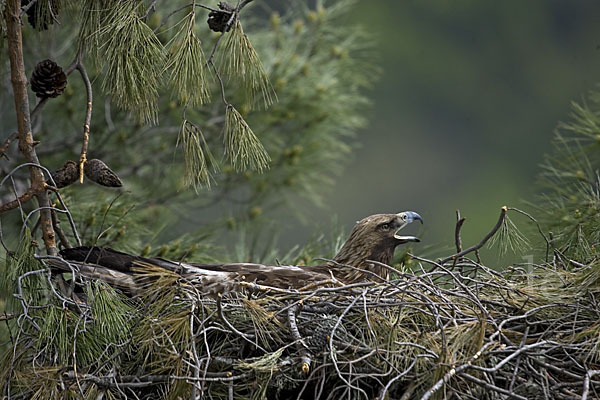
[188, 75]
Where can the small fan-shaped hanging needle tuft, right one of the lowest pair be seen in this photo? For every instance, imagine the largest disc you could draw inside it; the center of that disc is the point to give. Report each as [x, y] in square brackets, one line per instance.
[242, 147]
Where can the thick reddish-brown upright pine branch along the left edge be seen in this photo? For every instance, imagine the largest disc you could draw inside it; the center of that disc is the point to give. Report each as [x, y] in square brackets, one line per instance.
[26, 143]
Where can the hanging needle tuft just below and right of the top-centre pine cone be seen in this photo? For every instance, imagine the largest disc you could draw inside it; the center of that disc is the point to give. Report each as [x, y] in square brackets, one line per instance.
[239, 60]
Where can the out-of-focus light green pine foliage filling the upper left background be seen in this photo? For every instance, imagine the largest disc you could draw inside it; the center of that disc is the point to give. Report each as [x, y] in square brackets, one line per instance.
[317, 64]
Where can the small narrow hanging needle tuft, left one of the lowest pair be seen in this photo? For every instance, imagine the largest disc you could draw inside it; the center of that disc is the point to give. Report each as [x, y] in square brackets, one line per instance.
[197, 157]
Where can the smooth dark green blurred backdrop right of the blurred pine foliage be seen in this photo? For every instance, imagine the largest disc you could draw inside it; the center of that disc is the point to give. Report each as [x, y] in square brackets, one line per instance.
[464, 111]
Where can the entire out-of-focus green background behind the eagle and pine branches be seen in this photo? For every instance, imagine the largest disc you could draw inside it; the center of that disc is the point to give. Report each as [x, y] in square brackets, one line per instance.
[467, 96]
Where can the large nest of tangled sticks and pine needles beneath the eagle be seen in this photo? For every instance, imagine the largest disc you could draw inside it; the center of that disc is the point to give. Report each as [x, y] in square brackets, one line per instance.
[452, 330]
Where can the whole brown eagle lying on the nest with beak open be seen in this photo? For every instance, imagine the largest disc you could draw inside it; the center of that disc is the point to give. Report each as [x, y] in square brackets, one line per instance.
[372, 239]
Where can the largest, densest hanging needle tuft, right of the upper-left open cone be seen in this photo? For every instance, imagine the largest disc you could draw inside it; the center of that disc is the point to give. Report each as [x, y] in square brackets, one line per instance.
[134, 58]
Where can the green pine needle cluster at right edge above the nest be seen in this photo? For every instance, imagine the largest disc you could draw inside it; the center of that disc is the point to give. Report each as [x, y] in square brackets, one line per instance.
[569, 206]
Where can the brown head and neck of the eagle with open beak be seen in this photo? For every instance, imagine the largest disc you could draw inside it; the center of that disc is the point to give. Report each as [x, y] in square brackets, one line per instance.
[373, 238]
